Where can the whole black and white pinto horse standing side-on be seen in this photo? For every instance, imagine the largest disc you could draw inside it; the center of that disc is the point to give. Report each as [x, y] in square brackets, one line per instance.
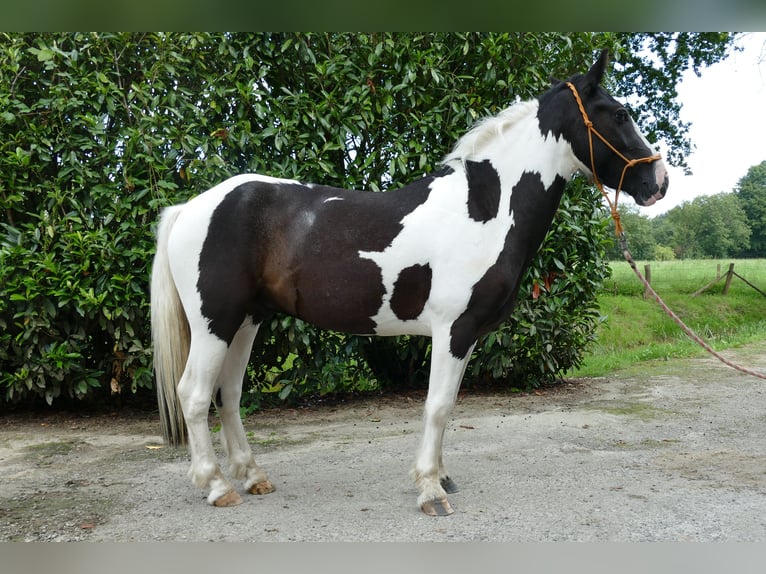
[441, 257]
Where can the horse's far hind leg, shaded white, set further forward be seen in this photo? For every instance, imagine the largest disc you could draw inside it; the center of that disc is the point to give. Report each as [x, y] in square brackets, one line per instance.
[241, 461]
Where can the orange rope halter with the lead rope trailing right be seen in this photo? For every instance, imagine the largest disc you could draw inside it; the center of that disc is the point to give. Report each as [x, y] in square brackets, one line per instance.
[624, 242]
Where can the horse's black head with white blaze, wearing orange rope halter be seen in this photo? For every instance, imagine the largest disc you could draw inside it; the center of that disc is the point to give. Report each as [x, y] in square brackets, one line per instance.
[603, 136]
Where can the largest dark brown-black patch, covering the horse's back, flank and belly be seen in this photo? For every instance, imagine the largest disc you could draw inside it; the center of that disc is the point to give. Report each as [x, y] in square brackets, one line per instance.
[283, 247]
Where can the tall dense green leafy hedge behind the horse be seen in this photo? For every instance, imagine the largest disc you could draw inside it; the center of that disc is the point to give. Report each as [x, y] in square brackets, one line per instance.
[99, 131]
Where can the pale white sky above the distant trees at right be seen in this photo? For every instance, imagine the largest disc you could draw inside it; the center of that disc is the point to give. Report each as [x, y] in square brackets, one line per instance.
[727, 109]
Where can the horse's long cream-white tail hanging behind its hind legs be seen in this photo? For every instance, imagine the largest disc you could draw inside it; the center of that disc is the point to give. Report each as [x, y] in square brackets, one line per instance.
[170, 334]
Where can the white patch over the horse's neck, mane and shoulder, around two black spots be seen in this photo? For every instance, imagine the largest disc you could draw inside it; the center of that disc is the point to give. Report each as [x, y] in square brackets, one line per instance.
[440, 232]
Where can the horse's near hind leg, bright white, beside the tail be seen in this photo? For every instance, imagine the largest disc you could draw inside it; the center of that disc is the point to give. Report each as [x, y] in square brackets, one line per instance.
[195, 391]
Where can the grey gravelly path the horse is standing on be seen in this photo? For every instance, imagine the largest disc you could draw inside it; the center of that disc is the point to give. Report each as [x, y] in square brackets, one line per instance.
[674, 451]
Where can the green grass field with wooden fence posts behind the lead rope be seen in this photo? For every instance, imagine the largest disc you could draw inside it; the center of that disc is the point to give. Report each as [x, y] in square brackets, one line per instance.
[637, 329]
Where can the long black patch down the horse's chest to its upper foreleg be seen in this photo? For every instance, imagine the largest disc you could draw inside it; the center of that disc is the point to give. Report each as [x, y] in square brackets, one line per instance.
[493, 297]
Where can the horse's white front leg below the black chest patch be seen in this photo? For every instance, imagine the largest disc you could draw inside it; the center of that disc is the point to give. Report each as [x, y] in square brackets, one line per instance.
[429, 473]
